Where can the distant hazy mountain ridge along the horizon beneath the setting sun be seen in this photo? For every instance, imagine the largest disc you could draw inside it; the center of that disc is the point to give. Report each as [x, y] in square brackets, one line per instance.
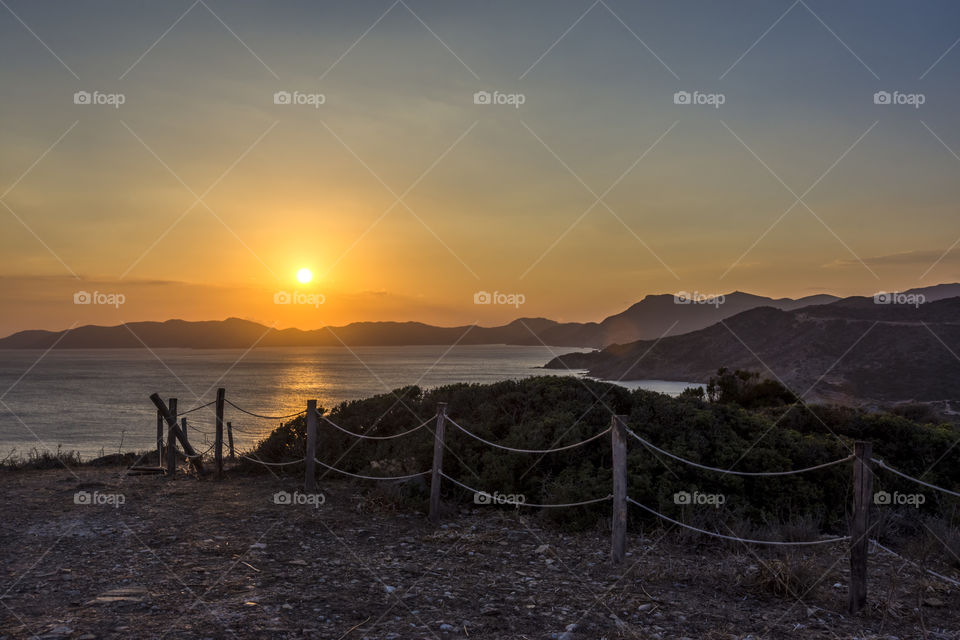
[654, 316]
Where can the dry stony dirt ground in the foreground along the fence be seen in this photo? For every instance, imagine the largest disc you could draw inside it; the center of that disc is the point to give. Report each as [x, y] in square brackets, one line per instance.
[190, 558]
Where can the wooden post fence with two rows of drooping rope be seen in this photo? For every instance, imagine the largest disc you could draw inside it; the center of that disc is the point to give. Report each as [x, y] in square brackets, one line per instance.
[863, 465]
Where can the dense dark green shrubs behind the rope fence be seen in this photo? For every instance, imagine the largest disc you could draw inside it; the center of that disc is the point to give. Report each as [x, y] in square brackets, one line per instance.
[547, 412]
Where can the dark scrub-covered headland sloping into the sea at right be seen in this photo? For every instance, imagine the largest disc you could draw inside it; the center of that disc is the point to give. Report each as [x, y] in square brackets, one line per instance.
[852, 348]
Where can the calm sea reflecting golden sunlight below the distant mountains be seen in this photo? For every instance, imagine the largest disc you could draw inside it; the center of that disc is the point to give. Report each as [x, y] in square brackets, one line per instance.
[97, 401]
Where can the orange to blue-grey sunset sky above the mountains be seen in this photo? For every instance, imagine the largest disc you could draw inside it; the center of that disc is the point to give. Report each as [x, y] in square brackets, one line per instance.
[571, 157]
